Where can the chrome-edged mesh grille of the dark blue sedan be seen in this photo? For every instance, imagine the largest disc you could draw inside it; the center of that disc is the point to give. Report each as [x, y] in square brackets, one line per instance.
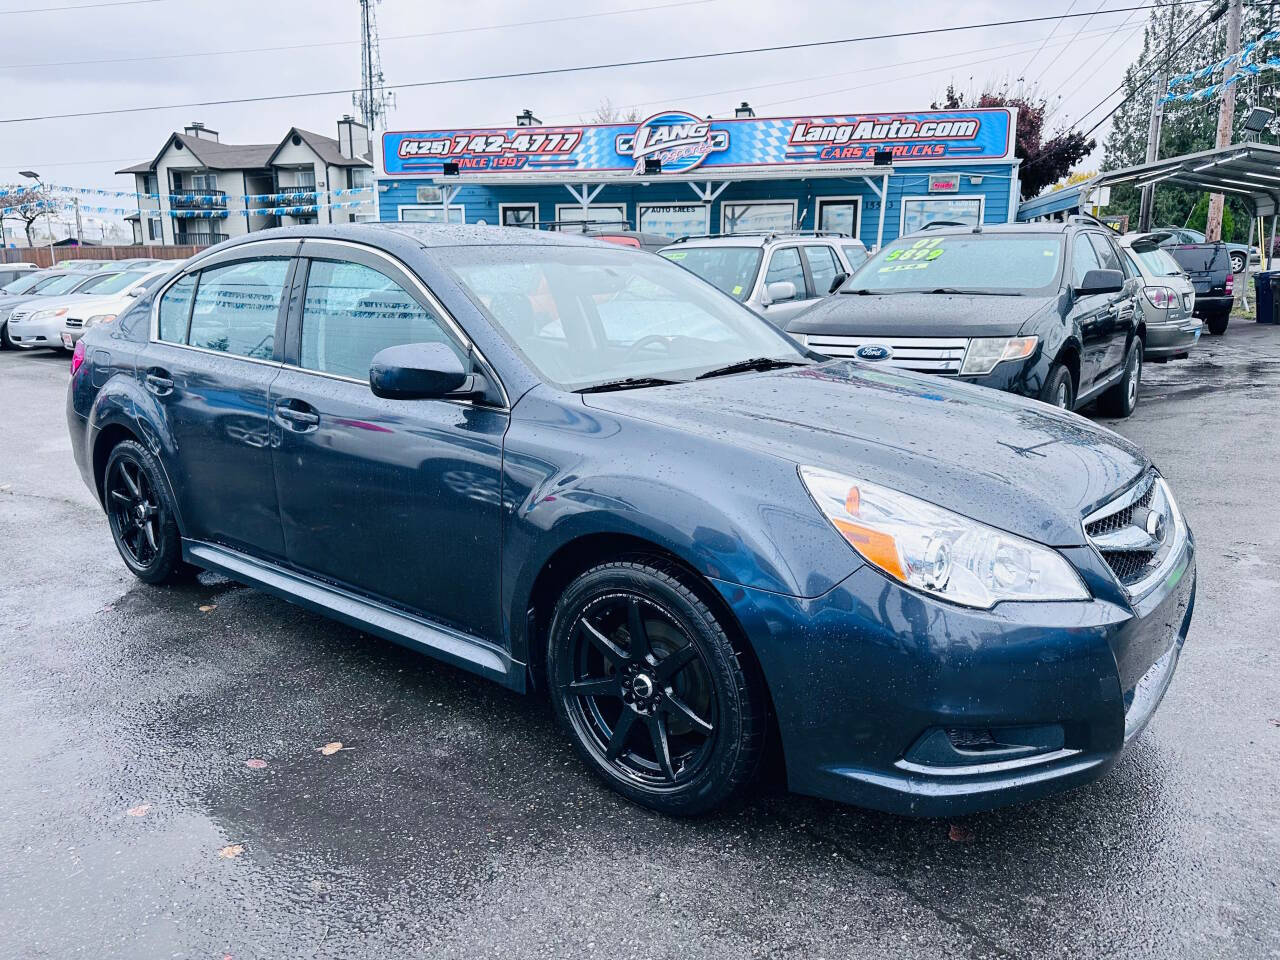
[1136, 533]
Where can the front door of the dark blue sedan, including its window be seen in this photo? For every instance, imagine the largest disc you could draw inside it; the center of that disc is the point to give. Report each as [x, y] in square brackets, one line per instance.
[399, 500]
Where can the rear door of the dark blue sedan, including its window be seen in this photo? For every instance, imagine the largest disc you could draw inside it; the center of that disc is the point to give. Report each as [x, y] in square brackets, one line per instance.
[214, 353]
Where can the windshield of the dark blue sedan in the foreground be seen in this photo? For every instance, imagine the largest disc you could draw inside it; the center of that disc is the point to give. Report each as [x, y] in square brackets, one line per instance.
[586, 317]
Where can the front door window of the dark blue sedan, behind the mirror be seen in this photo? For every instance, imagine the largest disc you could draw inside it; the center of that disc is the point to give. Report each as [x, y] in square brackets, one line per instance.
[353, 312]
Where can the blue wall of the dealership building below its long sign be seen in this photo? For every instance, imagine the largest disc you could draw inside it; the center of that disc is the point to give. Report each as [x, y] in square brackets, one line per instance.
[482, 203]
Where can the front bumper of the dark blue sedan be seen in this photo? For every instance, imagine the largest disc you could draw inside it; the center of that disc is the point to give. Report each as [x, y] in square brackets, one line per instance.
[870, 679]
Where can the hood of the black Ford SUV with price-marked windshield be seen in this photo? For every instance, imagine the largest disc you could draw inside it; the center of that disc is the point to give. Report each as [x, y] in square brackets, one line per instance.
[918, 316]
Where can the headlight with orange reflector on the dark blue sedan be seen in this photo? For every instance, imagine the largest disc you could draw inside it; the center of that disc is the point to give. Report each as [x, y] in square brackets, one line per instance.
[939, 552]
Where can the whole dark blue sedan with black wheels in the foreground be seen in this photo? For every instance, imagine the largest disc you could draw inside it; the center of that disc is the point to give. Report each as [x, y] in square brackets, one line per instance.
[578, 468]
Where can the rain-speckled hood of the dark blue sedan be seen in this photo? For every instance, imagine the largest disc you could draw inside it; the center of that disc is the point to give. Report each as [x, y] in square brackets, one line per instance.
[1007, 461]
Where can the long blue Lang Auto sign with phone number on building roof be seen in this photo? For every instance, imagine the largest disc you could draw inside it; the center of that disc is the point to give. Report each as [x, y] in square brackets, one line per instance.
[682, 143]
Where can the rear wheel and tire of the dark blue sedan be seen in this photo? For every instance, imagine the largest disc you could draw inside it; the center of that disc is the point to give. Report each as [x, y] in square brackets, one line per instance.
[141, 515]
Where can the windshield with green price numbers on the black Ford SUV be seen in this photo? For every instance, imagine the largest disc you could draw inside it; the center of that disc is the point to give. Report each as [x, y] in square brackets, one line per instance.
[979, 263]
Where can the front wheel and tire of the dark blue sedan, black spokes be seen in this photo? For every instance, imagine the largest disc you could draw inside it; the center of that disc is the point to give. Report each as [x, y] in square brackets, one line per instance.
[675, 721]
